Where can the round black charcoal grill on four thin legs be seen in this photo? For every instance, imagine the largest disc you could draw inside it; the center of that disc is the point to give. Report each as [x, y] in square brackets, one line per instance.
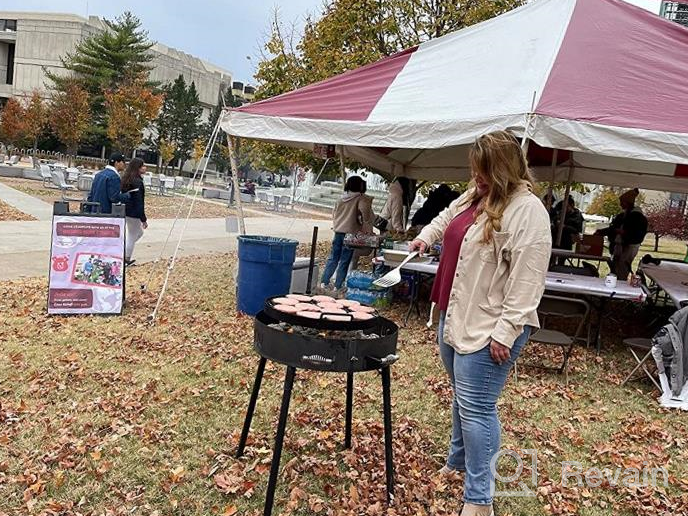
[335, 346]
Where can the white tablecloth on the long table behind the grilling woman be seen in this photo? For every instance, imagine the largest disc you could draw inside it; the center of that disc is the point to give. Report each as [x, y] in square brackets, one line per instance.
[565, 283]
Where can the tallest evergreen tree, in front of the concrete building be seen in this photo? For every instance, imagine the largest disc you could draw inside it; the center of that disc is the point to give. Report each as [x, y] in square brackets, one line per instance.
[106, 61]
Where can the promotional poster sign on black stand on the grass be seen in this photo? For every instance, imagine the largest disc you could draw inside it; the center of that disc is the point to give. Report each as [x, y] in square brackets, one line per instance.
[86, 262]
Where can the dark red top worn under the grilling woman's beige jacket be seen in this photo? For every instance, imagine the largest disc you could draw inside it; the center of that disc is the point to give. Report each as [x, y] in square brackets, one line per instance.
[451, 247]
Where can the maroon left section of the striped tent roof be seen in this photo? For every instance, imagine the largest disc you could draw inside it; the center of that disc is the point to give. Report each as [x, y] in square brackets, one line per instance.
[349, 96]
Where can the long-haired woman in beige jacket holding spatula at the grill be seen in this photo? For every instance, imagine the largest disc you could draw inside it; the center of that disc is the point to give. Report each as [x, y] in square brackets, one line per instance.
[495, 253]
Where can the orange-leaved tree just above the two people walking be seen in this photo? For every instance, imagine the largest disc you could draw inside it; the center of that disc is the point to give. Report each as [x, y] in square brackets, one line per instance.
[130, 108]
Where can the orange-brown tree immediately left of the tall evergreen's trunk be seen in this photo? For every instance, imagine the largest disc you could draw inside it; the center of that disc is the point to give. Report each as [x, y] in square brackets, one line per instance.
[70, 115]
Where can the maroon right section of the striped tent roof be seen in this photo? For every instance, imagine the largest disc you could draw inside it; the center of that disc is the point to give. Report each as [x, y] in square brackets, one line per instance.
[619, 66]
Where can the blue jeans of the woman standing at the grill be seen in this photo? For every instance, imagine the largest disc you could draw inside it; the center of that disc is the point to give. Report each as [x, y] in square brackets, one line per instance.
[477, 381]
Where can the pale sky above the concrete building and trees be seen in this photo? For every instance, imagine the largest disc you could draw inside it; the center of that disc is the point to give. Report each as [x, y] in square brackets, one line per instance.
[228, 33]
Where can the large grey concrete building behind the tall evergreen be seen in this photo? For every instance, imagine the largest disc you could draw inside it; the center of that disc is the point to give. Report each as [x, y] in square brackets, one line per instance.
[32, 42]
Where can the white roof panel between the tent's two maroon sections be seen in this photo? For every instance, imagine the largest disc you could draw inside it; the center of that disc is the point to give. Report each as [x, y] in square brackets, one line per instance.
[466, 84]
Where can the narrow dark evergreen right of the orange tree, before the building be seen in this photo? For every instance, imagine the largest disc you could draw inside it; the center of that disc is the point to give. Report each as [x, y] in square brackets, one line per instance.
[179, 121]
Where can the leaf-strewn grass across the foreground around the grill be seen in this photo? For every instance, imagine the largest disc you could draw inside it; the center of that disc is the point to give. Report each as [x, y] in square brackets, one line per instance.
[110, 416]
